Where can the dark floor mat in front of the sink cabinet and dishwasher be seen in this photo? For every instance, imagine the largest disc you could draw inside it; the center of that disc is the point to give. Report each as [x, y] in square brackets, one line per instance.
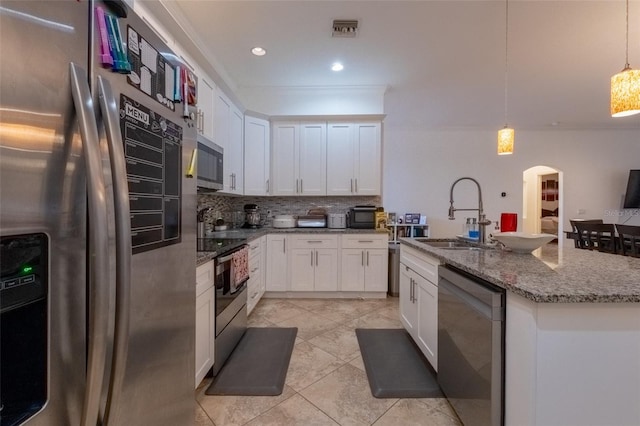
[395, 366]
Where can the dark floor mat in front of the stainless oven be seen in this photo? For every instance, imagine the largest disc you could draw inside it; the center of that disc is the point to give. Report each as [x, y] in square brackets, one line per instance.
[258, 365]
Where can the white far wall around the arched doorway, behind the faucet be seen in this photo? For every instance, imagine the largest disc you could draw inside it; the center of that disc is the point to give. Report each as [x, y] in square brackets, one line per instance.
[419, 166]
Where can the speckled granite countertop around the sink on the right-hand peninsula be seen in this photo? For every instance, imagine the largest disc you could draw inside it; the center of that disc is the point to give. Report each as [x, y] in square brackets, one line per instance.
[551, 274]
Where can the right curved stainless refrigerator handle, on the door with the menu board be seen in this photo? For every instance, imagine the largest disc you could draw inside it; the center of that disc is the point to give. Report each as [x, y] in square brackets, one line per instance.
[111, 119]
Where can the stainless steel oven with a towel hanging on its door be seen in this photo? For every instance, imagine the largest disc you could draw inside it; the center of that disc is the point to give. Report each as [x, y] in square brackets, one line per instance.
[231, 305]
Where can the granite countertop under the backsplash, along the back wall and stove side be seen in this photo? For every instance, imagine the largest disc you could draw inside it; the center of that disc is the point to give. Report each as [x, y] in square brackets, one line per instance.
[251, 234]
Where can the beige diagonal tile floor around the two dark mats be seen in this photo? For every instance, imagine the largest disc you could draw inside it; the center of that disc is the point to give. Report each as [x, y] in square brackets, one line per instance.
[326, 383]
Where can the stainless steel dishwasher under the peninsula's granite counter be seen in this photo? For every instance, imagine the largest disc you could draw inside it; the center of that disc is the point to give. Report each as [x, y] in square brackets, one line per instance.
[471, 328]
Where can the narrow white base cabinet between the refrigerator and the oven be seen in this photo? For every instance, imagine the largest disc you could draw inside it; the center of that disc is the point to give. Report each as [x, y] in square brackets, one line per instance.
[205, 320]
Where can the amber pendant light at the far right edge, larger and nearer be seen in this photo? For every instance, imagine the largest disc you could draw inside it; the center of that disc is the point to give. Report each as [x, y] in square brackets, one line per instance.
[625, 86]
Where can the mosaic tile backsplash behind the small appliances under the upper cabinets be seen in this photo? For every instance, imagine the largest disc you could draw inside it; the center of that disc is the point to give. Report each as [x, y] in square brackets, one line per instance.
[231, 208]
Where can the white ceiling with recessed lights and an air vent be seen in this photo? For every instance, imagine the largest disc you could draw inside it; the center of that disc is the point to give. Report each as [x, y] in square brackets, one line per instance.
[443, 60]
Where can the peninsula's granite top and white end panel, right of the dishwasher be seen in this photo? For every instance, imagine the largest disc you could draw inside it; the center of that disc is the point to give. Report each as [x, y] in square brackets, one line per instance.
[572, 343]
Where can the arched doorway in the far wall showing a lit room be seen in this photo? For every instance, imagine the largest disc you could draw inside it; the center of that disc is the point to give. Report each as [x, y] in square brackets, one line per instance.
[542, 200]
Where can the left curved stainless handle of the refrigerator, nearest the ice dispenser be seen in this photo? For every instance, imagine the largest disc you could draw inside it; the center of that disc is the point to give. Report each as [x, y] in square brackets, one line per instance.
[98, 299]
